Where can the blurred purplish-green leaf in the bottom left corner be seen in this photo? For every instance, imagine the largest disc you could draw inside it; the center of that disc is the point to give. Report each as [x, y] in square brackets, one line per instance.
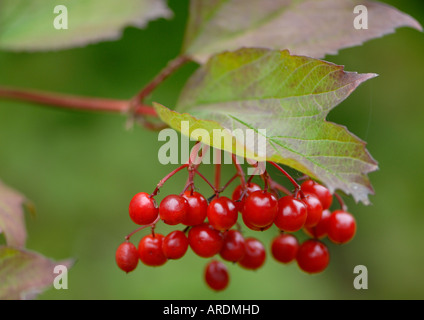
[23, 274]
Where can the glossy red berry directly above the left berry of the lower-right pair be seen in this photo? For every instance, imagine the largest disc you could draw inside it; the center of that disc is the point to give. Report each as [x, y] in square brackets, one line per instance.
[291, 215]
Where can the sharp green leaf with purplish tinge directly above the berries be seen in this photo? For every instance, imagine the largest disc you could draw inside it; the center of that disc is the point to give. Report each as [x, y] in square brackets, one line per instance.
[290, 97]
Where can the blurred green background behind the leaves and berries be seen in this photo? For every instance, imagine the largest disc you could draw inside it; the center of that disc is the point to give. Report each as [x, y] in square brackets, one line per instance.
[82, 169]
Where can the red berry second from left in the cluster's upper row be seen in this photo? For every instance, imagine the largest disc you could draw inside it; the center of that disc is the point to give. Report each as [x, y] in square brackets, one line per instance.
[173, 209]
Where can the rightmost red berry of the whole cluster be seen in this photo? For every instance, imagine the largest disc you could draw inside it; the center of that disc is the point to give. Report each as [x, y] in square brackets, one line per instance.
[341, 227]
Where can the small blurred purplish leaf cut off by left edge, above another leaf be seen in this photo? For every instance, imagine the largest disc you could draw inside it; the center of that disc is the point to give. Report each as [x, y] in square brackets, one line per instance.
[12, 221]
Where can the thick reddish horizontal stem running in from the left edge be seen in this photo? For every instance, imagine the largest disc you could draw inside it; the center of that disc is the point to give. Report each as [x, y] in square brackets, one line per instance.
[73, 102]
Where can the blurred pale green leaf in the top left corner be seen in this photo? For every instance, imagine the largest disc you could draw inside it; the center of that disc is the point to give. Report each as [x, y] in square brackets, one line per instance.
[28, 24]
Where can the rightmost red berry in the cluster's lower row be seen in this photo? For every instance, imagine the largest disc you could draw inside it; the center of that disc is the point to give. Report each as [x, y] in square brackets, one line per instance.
[313, 256]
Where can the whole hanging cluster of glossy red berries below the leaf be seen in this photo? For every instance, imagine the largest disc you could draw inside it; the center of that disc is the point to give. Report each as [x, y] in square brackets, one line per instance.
[306, 209]
